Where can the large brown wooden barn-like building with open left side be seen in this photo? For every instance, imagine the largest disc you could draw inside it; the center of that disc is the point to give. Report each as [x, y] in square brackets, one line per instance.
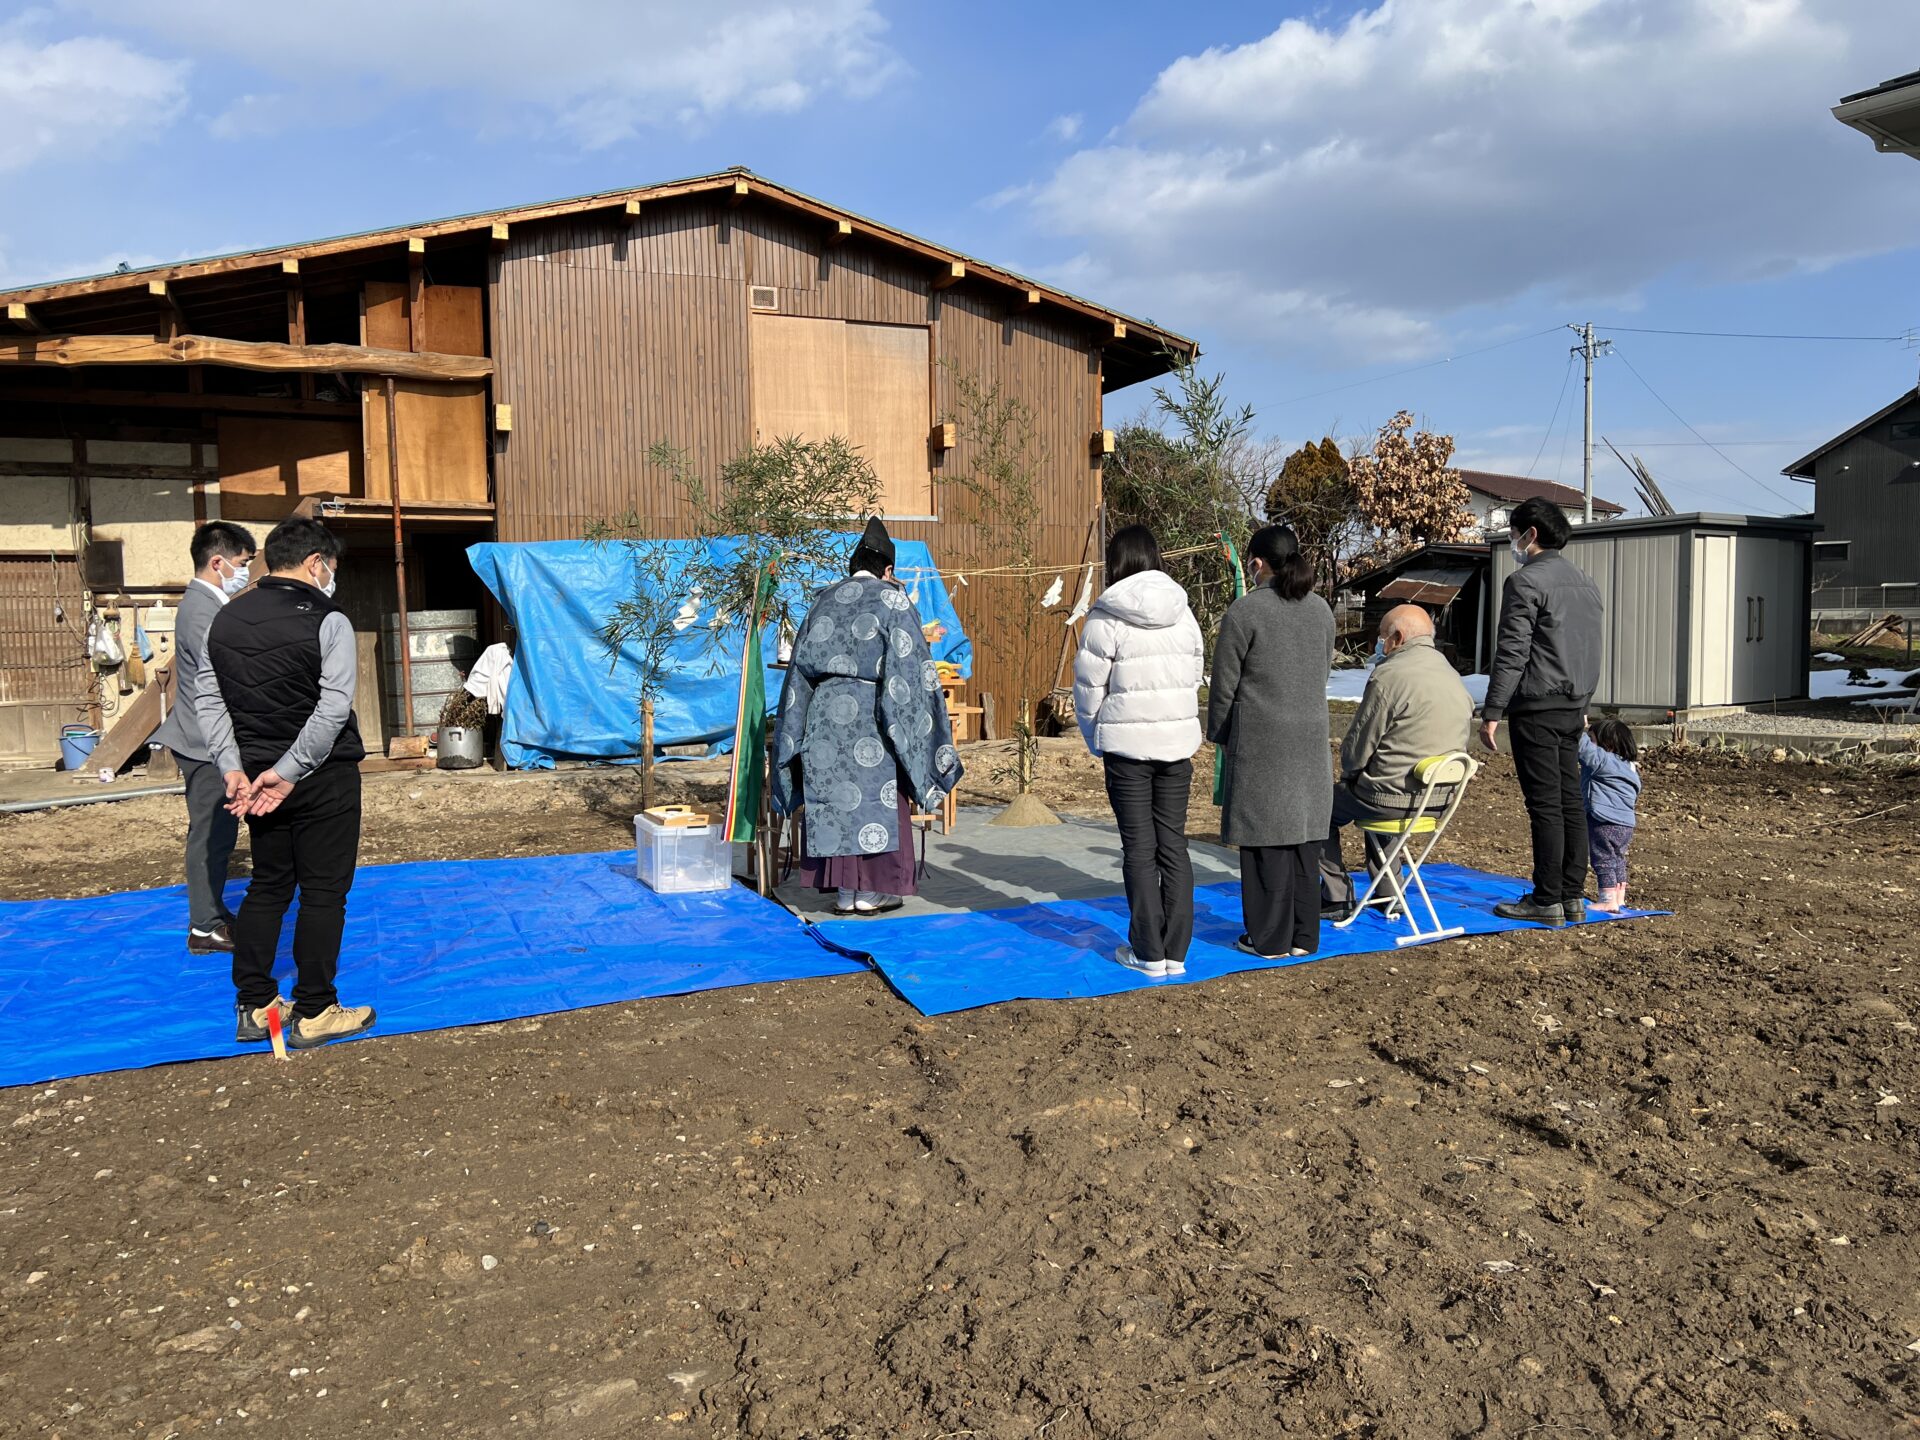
[504, 377]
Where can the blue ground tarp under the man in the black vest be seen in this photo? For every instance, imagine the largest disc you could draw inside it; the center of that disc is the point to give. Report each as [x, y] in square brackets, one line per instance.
[107, 982]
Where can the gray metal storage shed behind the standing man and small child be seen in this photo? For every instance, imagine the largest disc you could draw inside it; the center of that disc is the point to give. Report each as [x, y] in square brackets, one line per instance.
[1702, 610]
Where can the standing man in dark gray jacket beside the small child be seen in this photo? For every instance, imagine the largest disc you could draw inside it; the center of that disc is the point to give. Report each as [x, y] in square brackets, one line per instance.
[1547, 667]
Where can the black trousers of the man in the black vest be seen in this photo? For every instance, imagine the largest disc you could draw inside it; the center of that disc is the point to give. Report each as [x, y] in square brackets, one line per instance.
[310, 844]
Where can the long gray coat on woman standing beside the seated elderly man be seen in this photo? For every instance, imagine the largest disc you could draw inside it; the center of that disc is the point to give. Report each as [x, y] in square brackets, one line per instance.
[1268, 708]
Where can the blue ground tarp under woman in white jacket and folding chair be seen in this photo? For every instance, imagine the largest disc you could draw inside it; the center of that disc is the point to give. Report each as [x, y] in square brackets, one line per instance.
[1065, 949]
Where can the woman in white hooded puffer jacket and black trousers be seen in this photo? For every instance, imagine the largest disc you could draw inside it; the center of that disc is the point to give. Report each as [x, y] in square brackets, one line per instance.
[1138, 700]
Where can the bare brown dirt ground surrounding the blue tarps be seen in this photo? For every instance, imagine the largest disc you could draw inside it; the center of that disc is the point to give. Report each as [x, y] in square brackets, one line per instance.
[1650, 1180]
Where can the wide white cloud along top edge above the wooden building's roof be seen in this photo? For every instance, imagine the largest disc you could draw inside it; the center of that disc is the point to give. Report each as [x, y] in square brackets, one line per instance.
[596, 70]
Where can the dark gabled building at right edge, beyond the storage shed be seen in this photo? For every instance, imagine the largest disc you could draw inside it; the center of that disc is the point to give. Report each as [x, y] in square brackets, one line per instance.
[1867, 500]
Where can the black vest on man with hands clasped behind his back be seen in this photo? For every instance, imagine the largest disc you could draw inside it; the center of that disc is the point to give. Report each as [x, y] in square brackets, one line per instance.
[266, 652]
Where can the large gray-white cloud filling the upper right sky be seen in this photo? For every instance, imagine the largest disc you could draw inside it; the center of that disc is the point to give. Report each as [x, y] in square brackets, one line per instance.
[1349, 187]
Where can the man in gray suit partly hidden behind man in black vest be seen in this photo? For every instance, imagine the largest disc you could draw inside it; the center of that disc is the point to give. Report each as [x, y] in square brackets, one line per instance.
[222, 556]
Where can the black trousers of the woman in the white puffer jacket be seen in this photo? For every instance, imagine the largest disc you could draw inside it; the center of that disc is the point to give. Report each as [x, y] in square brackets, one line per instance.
[1149, 802]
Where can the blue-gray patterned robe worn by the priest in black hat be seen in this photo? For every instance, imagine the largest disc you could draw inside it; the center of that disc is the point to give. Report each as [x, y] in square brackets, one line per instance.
[859, 711]
